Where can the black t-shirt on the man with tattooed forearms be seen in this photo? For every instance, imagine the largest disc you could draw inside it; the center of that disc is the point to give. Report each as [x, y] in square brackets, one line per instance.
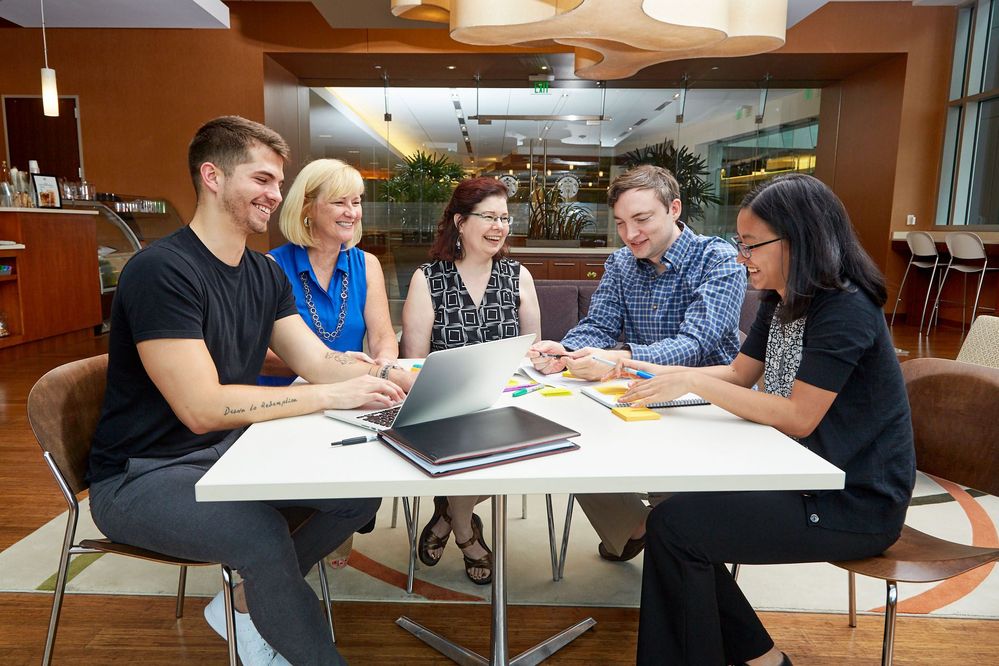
[177, 288]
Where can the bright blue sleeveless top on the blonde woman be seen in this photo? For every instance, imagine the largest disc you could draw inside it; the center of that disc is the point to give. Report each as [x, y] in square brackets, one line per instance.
[326, 305]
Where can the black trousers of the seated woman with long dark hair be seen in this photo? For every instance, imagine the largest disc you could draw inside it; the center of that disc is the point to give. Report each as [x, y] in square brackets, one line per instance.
[693, 611]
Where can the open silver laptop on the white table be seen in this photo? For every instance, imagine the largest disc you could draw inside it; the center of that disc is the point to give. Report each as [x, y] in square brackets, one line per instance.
[451, 382]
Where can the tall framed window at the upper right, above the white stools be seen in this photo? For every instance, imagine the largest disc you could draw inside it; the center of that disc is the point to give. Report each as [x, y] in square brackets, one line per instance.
[969, 174]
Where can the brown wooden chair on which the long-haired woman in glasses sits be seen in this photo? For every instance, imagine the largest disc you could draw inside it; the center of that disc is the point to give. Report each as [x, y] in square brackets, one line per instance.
[953, 407]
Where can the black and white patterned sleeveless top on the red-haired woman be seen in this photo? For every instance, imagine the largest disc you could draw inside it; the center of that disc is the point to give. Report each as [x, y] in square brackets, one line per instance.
[457, 320]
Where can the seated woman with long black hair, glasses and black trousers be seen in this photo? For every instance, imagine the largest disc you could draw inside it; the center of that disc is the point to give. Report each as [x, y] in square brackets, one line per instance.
[824, 359]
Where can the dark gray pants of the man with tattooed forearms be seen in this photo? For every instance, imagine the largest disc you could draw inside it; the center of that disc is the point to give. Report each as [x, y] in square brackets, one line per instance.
[151, 505]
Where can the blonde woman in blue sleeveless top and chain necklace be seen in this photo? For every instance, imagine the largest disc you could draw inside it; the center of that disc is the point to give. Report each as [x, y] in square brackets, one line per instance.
[339, 288]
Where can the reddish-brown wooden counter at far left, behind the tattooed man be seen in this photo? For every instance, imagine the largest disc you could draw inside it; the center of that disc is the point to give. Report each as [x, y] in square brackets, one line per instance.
[54, 286]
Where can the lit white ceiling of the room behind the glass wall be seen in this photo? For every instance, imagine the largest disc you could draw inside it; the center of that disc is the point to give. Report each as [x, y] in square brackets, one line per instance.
[349, 121]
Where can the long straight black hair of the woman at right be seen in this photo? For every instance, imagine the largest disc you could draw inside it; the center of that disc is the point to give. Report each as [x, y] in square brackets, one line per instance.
[824, 250]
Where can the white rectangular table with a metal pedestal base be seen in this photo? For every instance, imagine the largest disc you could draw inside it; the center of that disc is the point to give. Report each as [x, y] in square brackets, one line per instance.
[689, 449]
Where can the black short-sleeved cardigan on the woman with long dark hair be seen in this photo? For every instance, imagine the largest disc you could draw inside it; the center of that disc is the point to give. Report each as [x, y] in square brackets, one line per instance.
[867, 432]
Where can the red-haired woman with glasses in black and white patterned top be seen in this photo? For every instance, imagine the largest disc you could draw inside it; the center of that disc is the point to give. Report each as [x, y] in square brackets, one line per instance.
[469, 293]
